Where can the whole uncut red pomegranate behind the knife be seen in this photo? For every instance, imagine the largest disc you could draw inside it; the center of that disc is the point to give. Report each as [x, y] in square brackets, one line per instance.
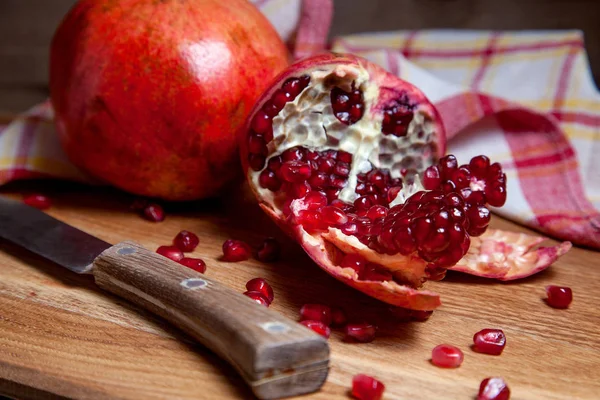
[148, 95]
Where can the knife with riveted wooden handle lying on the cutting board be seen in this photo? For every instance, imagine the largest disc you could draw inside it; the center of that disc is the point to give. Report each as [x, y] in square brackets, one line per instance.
[277, 357]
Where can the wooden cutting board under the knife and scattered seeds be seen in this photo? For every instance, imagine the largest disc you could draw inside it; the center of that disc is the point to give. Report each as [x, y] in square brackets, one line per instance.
[61, 336]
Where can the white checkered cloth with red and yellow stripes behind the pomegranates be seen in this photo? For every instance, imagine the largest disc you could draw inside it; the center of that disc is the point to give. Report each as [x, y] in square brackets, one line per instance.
[525, 99]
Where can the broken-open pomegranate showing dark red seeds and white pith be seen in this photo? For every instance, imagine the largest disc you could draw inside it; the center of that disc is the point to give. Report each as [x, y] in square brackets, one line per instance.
[347, 158]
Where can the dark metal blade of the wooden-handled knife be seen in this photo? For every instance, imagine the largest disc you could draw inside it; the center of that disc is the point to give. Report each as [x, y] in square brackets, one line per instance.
[48, 237]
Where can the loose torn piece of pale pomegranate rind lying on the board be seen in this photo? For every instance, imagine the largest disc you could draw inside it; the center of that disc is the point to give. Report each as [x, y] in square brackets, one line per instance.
[508, 256]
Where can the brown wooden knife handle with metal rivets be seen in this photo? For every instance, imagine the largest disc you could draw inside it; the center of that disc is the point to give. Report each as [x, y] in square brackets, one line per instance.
[276, 356]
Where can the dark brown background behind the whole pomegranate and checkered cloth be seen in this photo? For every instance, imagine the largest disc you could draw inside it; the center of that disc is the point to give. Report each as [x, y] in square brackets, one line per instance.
[26, 27]
